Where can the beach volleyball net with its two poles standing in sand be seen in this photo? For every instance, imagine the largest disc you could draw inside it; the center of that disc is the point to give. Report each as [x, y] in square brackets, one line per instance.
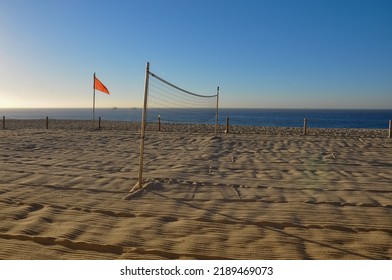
[173, 104]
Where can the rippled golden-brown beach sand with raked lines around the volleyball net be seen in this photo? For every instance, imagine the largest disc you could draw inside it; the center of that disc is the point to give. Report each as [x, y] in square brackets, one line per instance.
[64, 194]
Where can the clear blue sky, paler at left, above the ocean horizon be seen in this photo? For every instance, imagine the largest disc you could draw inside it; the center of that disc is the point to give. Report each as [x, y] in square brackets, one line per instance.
[262, 54]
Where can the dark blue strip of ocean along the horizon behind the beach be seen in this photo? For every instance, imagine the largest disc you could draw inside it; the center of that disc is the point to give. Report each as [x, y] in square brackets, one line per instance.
[317, 118]
